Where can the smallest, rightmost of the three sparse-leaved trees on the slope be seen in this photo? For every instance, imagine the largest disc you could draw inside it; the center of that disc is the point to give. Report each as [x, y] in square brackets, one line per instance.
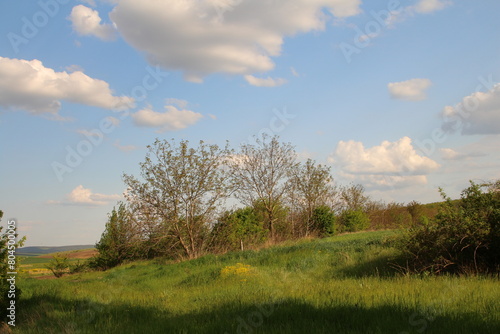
[311, 188]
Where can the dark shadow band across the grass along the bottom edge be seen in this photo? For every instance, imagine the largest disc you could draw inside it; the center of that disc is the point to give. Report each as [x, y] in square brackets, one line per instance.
[48, 314]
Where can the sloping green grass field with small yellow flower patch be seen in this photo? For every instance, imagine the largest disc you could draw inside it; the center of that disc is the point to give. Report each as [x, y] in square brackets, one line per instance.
[336, 285]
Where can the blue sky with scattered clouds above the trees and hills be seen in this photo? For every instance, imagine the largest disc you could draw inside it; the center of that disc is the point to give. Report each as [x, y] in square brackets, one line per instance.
[400, 96]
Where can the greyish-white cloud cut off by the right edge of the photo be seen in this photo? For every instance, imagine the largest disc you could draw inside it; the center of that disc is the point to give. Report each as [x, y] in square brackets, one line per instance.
[478, 113]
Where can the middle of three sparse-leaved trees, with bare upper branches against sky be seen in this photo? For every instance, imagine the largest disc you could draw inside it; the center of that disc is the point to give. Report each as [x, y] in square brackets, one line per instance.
[262, 174]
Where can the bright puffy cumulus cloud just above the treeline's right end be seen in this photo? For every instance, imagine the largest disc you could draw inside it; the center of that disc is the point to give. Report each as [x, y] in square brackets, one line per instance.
[391, 163]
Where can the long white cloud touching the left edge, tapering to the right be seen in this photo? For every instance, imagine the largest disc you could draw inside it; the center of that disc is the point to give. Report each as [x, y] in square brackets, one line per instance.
[28, 85]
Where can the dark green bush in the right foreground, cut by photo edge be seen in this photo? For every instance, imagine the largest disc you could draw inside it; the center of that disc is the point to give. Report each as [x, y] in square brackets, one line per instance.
[463, 237]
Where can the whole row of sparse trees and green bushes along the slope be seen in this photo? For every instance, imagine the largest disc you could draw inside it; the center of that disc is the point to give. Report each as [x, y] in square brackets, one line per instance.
[176, 208]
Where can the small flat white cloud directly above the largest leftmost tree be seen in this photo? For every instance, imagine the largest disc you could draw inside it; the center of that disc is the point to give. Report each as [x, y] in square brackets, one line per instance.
[170, 120]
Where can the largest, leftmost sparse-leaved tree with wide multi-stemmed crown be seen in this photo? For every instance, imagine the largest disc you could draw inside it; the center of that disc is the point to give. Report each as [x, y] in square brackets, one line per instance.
[183, 189]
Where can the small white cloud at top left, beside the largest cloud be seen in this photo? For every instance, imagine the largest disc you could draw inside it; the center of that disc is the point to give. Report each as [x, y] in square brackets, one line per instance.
[86, 22]
